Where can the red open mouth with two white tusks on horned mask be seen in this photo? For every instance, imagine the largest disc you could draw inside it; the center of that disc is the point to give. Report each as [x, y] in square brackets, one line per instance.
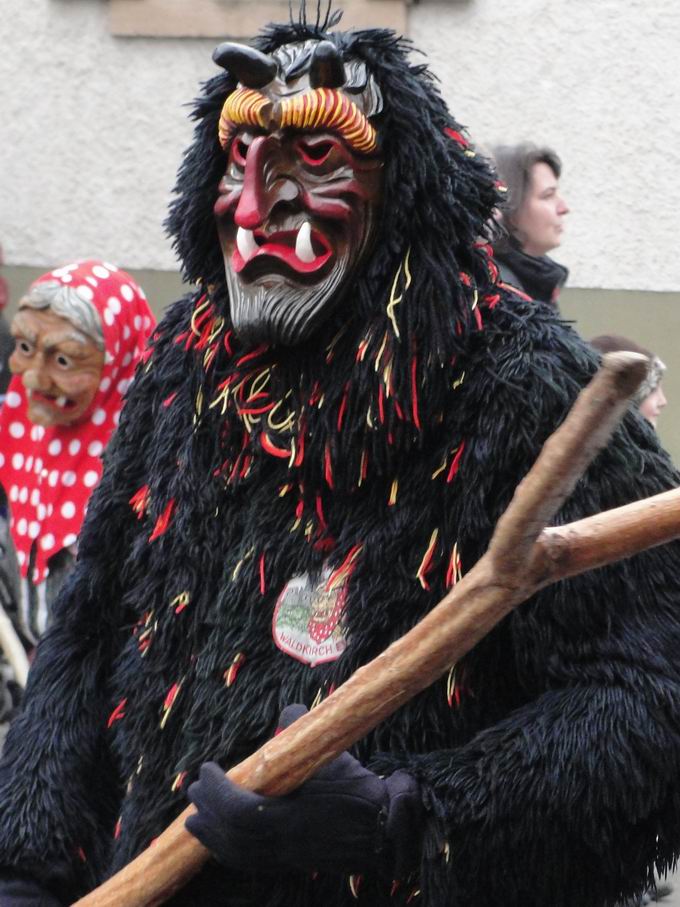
[305, 250]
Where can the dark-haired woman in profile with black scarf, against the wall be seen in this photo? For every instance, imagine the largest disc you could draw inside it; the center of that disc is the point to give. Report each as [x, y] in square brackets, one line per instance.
[531, 220]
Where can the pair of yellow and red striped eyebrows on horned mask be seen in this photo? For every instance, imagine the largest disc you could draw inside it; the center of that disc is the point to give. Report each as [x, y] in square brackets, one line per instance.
[316, 109]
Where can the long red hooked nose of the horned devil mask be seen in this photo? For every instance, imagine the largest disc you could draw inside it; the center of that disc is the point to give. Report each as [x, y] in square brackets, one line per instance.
[265, 184]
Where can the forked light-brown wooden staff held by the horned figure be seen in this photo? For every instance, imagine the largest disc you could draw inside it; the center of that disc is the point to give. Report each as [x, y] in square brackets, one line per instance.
[522, 558]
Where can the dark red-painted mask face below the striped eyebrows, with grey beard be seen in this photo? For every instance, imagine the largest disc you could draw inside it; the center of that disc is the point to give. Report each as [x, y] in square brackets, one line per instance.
[296, 214]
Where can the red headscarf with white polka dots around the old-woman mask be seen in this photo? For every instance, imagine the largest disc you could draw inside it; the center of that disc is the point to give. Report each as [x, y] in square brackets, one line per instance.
[48, 473]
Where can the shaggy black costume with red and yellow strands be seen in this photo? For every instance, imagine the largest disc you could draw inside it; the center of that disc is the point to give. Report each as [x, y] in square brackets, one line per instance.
[549, 759]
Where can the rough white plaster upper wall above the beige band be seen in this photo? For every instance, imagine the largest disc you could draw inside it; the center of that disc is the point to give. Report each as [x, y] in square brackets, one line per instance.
[94, 125]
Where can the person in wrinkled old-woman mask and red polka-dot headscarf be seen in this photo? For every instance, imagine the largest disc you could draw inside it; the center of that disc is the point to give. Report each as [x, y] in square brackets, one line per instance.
[79, 333]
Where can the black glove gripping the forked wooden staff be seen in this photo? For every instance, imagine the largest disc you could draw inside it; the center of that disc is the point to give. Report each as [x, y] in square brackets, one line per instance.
[344, 819]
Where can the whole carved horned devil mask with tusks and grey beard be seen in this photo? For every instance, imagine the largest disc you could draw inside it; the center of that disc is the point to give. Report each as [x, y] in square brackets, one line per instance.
[297, 206]
